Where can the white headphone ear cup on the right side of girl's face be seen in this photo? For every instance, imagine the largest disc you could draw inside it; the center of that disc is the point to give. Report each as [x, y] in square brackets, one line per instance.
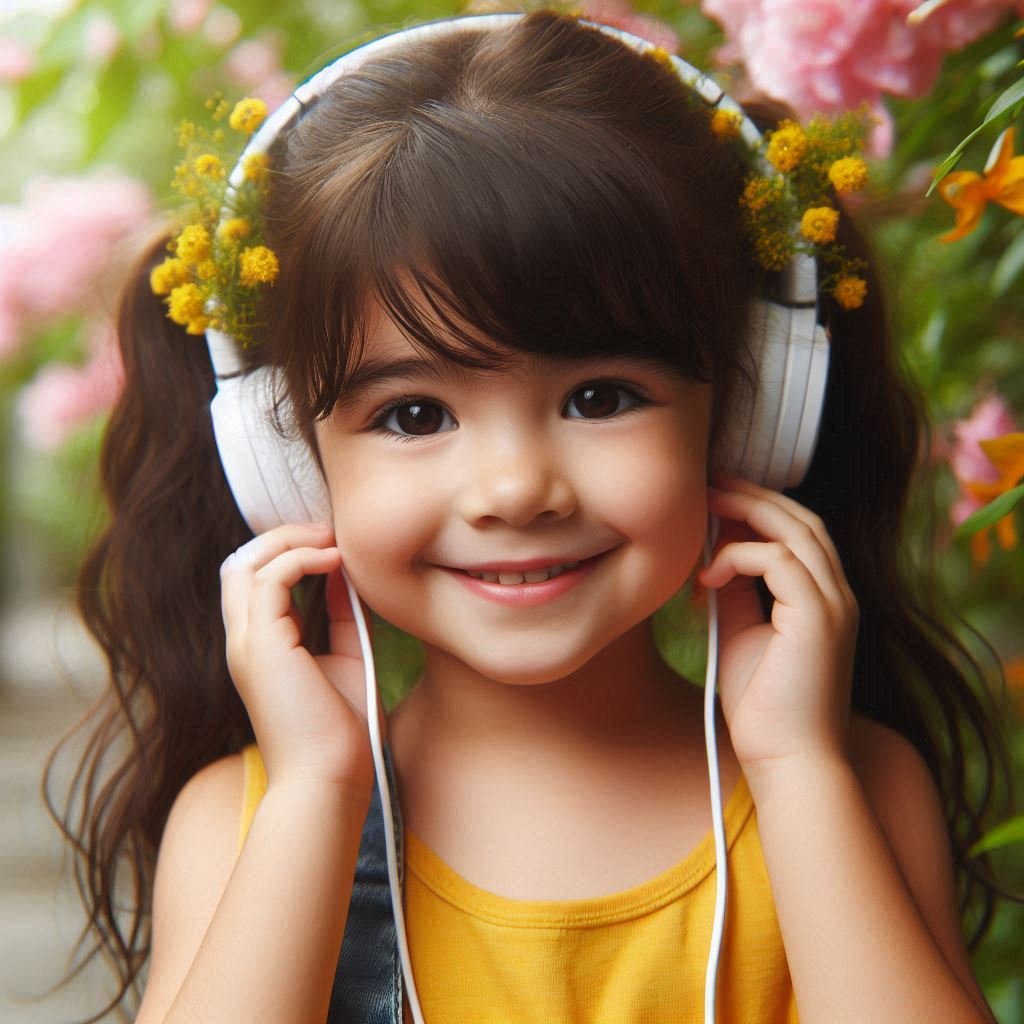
[770, 438]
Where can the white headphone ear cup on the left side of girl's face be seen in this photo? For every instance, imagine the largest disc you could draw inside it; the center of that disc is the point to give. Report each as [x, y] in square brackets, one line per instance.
[275, 479]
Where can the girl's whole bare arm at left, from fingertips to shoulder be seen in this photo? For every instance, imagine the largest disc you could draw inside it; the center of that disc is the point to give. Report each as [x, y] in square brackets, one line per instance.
[258, 940]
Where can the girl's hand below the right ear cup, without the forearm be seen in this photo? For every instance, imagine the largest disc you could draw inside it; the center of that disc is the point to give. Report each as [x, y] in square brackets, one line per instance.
[785, 686]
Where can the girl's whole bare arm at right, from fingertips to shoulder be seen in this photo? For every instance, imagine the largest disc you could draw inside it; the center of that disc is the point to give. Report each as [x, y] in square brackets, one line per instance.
[850, 824]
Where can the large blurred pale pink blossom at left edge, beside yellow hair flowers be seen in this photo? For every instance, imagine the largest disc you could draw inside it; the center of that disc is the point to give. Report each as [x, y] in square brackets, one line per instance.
[56, 248]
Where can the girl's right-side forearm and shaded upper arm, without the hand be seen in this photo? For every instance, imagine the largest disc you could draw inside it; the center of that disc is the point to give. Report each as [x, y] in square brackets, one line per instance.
[864, 885]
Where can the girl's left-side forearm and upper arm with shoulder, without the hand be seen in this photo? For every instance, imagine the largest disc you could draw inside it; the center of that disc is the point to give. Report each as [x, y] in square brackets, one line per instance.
[257, 940]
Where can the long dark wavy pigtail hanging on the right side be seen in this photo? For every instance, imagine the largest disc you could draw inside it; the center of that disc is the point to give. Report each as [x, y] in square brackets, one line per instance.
[913, 672]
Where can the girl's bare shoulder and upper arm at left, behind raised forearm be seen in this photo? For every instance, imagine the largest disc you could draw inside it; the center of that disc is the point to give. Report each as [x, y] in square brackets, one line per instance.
[197, 856]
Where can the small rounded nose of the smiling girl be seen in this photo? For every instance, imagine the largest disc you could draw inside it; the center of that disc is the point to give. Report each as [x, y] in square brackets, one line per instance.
[518, 482]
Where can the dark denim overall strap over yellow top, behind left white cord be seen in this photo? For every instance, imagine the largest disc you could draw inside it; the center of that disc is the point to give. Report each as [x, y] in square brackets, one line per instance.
[368, 988]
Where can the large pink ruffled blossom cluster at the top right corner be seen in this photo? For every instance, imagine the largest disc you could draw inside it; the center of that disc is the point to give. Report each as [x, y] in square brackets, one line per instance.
[829, 56]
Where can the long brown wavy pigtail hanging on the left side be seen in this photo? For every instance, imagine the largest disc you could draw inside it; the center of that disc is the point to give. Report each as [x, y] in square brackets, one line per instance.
[150, 593]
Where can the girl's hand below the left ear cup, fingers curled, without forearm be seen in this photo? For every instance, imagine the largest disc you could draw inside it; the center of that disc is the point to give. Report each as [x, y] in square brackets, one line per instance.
[309, 713]
